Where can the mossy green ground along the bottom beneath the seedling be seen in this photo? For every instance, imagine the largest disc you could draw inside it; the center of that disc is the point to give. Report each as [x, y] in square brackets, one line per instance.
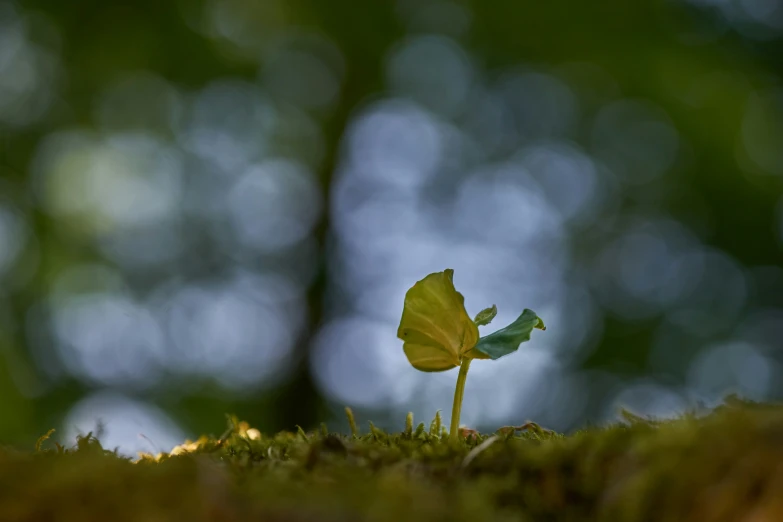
[727, 465]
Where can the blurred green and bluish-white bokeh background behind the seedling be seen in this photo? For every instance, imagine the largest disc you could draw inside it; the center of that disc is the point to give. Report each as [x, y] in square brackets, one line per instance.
[217, 206]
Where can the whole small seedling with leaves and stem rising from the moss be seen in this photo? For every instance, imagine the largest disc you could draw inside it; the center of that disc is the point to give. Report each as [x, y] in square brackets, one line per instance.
[438, 334]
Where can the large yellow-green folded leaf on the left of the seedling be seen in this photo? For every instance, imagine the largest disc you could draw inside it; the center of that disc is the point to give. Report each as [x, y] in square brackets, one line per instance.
[435, 328]
